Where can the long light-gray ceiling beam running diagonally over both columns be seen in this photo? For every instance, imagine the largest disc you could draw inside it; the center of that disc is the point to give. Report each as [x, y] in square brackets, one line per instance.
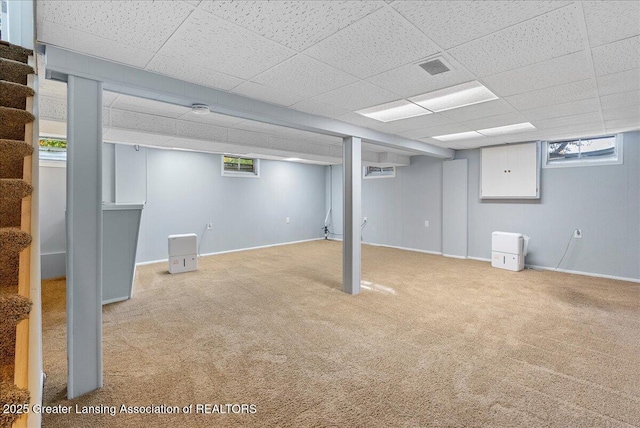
[121, 78]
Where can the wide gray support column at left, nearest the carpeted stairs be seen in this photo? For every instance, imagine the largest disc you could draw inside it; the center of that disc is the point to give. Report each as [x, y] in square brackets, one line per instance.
[84, 235]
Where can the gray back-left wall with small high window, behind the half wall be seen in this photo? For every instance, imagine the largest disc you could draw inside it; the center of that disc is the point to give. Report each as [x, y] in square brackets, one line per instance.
[186, 191]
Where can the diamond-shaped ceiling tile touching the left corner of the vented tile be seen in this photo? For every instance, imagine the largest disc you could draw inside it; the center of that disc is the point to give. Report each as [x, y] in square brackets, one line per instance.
[304, 76]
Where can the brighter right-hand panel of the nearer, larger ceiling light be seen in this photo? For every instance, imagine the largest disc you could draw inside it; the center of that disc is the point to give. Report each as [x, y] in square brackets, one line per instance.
[462, 95]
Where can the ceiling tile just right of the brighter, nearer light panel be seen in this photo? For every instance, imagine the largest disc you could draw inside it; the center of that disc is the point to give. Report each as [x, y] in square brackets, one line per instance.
[555, 95]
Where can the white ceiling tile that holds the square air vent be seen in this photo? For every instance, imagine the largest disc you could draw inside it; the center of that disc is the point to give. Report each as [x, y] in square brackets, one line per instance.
[411, 79]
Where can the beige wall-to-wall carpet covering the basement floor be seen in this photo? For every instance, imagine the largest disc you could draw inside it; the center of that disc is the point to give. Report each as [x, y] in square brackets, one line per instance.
[431, 342]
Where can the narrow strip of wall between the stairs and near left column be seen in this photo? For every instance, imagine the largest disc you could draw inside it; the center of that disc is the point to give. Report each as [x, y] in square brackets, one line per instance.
[53, 201]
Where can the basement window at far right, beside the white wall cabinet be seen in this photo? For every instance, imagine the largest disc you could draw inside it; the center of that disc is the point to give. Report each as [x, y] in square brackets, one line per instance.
[605, 150]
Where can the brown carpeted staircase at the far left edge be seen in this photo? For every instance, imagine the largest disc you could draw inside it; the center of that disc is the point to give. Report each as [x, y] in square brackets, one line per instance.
[14, 229]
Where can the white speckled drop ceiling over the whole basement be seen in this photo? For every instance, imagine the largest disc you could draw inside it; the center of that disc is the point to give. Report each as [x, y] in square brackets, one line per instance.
[572, 69]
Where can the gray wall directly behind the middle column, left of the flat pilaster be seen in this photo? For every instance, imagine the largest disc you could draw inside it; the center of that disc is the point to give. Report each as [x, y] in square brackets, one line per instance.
[396, 208]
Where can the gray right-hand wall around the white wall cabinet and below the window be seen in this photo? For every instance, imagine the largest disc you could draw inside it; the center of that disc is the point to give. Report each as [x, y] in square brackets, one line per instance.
[603, 201]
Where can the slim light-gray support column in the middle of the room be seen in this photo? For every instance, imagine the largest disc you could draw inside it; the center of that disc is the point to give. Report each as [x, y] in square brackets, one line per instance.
[352, 173]
